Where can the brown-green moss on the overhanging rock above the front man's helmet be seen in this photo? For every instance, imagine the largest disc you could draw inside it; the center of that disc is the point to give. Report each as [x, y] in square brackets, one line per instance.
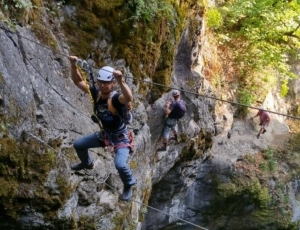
[148, 47]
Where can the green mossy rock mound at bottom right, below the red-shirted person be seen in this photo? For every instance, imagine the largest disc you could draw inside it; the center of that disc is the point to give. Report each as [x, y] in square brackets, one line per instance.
[248, 198]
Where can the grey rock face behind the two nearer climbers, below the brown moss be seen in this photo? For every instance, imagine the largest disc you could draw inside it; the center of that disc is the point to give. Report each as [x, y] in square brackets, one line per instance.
[42, 113]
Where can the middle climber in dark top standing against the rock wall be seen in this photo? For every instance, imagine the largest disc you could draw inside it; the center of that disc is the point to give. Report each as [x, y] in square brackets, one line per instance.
[175, 110]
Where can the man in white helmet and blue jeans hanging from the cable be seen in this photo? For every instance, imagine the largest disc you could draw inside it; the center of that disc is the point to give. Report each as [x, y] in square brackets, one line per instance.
[114, 130]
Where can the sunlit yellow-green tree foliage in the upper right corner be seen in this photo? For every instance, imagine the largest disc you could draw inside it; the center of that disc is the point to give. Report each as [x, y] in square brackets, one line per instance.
[261, 35]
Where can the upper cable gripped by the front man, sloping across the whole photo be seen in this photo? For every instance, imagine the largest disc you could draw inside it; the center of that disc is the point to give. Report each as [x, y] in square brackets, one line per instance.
[162, 85]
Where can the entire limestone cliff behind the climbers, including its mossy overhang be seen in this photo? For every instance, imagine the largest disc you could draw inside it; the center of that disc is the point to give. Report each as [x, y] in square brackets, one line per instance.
[204, 179]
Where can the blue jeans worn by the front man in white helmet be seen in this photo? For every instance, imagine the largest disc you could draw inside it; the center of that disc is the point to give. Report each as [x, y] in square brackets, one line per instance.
[96, 140]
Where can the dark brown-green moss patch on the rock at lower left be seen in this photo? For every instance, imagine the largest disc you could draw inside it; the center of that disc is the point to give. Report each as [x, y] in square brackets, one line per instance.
[24, 168]
